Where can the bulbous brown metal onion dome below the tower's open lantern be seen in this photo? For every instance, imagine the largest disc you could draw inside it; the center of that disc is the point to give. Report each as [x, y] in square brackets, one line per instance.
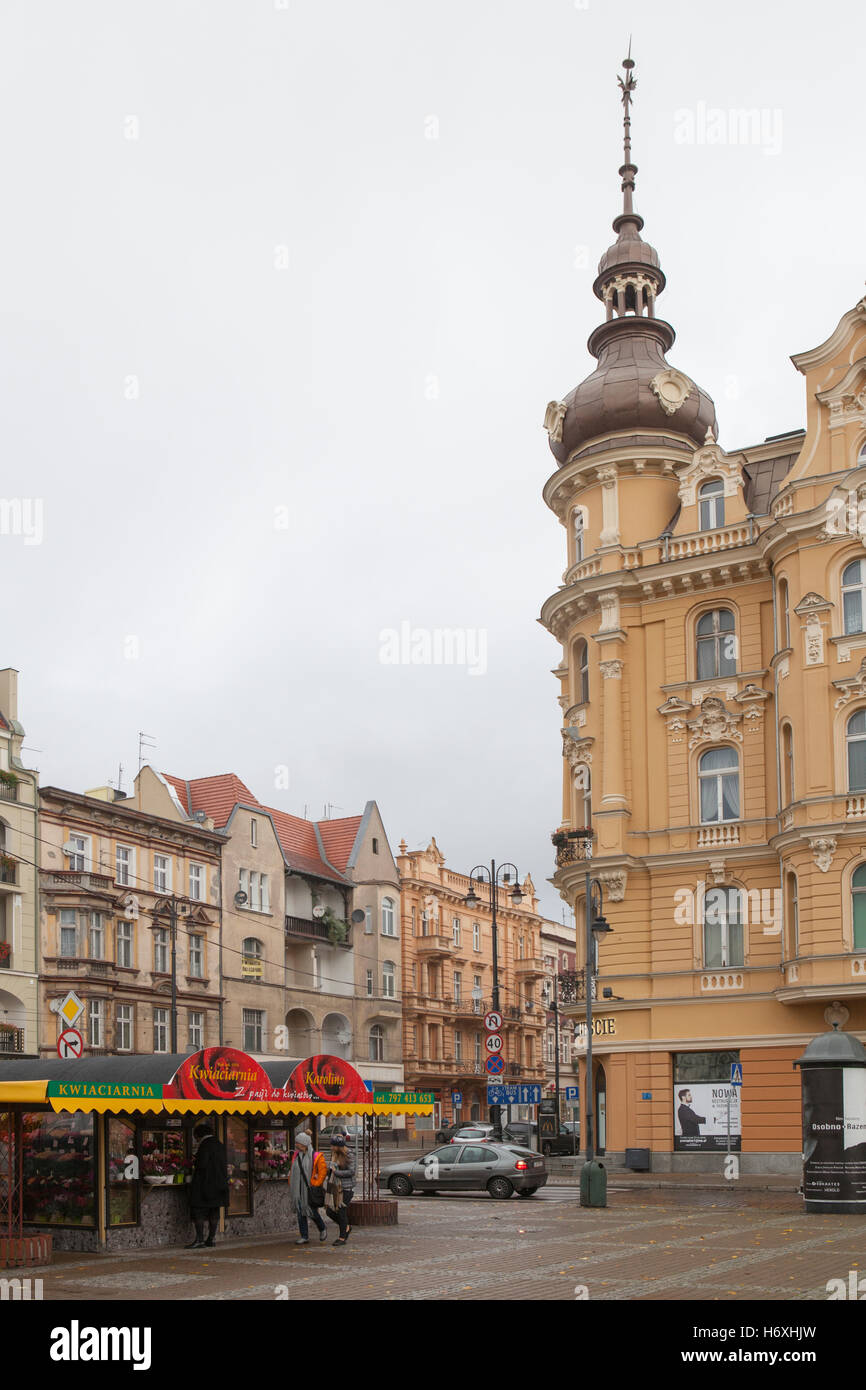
[619, 394]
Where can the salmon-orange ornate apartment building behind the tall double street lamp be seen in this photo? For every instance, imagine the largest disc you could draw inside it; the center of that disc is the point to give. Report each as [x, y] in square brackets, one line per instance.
[448, 985]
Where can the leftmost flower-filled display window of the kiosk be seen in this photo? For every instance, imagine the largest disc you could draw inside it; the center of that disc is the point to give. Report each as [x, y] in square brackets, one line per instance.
[59, 1168]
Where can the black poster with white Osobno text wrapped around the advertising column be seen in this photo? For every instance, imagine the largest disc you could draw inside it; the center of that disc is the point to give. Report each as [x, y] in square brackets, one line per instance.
[835, 1134]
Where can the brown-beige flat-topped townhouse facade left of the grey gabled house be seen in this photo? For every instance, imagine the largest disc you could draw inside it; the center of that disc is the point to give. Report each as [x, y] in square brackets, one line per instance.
[112, 879]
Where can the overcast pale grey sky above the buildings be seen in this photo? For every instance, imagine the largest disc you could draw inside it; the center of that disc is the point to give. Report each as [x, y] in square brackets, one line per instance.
[286, 291]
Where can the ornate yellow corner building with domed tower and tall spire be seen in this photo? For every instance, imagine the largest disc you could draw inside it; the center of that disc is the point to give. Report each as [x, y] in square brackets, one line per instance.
[712, 621]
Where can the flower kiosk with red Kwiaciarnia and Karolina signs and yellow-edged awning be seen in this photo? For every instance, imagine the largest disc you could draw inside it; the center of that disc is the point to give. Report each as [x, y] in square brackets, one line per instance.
[98, 1152]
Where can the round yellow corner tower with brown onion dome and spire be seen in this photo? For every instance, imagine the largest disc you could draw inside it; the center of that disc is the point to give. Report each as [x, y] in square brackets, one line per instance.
[622, 440]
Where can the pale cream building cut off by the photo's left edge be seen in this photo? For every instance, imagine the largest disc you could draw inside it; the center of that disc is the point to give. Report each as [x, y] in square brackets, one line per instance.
[19, 892]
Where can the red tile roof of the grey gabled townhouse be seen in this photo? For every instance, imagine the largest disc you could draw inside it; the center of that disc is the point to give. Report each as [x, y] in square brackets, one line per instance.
[219, 796]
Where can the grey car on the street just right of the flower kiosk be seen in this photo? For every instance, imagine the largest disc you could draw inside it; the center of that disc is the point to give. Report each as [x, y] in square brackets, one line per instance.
[501, 1170]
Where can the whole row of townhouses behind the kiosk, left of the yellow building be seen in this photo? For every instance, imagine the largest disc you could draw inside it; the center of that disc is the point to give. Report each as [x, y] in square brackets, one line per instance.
[276, 935]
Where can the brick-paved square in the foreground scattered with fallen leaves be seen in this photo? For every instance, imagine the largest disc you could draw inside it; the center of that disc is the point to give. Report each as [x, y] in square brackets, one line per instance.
[715, 1246]
